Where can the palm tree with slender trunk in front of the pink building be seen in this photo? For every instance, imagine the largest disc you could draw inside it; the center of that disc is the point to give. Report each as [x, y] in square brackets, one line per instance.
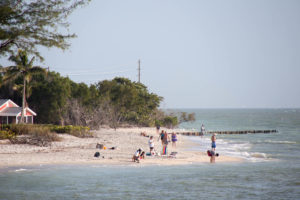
[23, 68]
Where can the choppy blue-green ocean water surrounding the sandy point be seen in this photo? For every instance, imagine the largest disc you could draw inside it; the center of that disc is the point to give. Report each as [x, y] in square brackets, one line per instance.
[271, 169]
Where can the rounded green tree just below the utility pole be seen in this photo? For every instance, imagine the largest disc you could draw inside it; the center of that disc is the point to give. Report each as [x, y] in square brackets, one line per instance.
[131, 101]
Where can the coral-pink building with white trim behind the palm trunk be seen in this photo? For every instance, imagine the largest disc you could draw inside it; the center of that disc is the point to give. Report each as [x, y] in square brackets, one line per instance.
[10, 113]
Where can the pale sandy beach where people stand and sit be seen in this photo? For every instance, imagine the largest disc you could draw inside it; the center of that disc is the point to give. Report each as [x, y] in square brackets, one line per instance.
[73, 150]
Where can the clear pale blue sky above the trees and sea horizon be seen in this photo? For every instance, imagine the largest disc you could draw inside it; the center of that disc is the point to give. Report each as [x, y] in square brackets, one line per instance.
[194, 53]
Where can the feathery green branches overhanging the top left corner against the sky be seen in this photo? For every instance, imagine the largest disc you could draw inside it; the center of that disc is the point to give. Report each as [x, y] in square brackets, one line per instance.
[27, 24]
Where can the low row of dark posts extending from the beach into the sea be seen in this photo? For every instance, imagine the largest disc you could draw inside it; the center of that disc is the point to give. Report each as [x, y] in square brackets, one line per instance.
[228, 132]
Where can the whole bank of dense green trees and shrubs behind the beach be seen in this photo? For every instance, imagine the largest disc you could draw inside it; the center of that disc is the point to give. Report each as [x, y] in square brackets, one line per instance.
[59, 100]
